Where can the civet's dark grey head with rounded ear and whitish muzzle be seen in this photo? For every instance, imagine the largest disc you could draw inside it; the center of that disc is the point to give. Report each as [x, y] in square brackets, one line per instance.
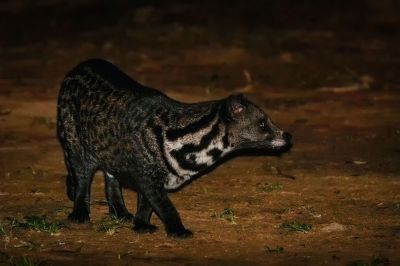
[250, 127]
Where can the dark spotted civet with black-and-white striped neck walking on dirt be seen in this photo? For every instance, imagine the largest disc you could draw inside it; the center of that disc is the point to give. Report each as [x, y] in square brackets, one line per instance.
[144, 140]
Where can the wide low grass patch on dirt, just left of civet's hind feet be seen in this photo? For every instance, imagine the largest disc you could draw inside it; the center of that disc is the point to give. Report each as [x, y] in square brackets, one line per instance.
[37, 223]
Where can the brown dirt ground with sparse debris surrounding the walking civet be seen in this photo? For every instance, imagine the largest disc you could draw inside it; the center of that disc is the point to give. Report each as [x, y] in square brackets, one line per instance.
[329, 75]
